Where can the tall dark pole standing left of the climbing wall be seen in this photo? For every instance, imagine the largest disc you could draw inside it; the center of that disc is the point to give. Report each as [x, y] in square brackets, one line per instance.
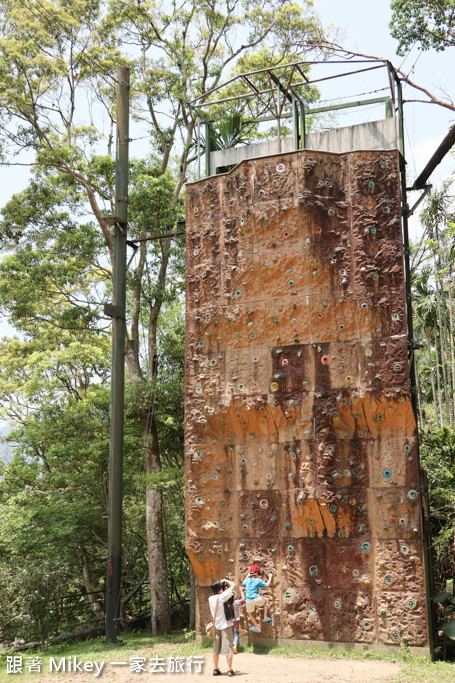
[117, 311]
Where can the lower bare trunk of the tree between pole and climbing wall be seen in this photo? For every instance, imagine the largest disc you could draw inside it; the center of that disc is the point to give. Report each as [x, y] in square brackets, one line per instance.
[156, 550]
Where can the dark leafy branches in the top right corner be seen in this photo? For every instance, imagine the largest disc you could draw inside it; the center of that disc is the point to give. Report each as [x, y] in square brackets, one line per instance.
[431, 23]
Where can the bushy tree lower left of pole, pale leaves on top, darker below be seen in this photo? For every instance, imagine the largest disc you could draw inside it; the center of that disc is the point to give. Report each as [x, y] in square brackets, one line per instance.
[53, 491]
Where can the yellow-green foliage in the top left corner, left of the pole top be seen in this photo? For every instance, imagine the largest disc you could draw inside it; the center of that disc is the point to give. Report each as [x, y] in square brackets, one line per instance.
[46, 56]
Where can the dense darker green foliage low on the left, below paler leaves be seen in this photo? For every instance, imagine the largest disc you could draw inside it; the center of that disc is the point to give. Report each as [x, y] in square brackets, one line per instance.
[53, 497]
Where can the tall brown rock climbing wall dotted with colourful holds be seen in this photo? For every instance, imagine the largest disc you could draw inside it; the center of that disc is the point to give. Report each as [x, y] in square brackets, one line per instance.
[300, 439]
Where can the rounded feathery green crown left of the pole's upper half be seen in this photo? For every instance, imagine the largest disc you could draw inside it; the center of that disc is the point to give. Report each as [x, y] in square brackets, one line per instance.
[53, 259]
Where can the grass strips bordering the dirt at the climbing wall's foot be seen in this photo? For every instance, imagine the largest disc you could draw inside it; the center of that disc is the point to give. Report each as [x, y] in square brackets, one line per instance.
[413, 669]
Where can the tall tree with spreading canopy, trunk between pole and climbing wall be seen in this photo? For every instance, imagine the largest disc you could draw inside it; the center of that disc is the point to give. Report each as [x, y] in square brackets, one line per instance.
[56, 65]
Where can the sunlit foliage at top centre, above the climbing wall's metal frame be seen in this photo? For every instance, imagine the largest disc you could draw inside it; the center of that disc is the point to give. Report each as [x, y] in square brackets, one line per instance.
[187, 51]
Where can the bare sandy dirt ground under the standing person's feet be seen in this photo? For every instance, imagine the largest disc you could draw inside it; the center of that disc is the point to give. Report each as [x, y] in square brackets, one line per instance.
[251, 668]
